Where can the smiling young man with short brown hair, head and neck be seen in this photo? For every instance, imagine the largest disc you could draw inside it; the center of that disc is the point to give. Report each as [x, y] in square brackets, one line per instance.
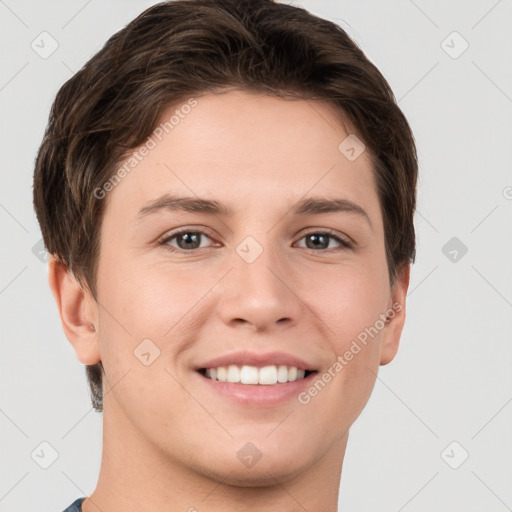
[227, 190]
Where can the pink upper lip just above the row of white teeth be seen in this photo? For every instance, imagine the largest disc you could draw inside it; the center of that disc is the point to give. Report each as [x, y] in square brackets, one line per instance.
[256, 359]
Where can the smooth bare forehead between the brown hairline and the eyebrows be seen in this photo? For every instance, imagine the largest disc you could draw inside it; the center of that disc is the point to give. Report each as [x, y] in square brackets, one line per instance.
[244, 149]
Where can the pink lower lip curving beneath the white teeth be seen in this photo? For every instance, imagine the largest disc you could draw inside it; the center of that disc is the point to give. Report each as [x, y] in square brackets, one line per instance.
[258, 395]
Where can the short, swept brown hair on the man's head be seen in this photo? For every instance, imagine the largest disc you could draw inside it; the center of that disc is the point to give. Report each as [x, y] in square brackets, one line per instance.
[181, 48]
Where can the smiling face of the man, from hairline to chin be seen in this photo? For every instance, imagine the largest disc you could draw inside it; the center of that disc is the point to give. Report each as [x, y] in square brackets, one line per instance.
[273, 275]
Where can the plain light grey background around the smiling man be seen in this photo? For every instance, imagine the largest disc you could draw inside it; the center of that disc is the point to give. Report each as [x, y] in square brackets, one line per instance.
[436, 433]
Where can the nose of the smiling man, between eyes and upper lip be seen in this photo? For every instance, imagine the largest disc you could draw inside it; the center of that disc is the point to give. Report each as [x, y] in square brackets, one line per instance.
[262, 295]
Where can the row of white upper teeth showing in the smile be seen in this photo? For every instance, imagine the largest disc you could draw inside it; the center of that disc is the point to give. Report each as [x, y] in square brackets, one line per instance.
[267, 375]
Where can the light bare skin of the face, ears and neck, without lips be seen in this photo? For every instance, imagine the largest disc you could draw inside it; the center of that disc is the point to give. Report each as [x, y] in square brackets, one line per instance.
[169, 443]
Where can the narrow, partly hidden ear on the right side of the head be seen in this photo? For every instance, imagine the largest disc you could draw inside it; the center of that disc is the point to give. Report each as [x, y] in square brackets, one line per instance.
[395, 323]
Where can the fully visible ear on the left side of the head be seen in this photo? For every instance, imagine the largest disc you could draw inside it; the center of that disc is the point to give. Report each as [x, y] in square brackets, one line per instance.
[78, 311]
